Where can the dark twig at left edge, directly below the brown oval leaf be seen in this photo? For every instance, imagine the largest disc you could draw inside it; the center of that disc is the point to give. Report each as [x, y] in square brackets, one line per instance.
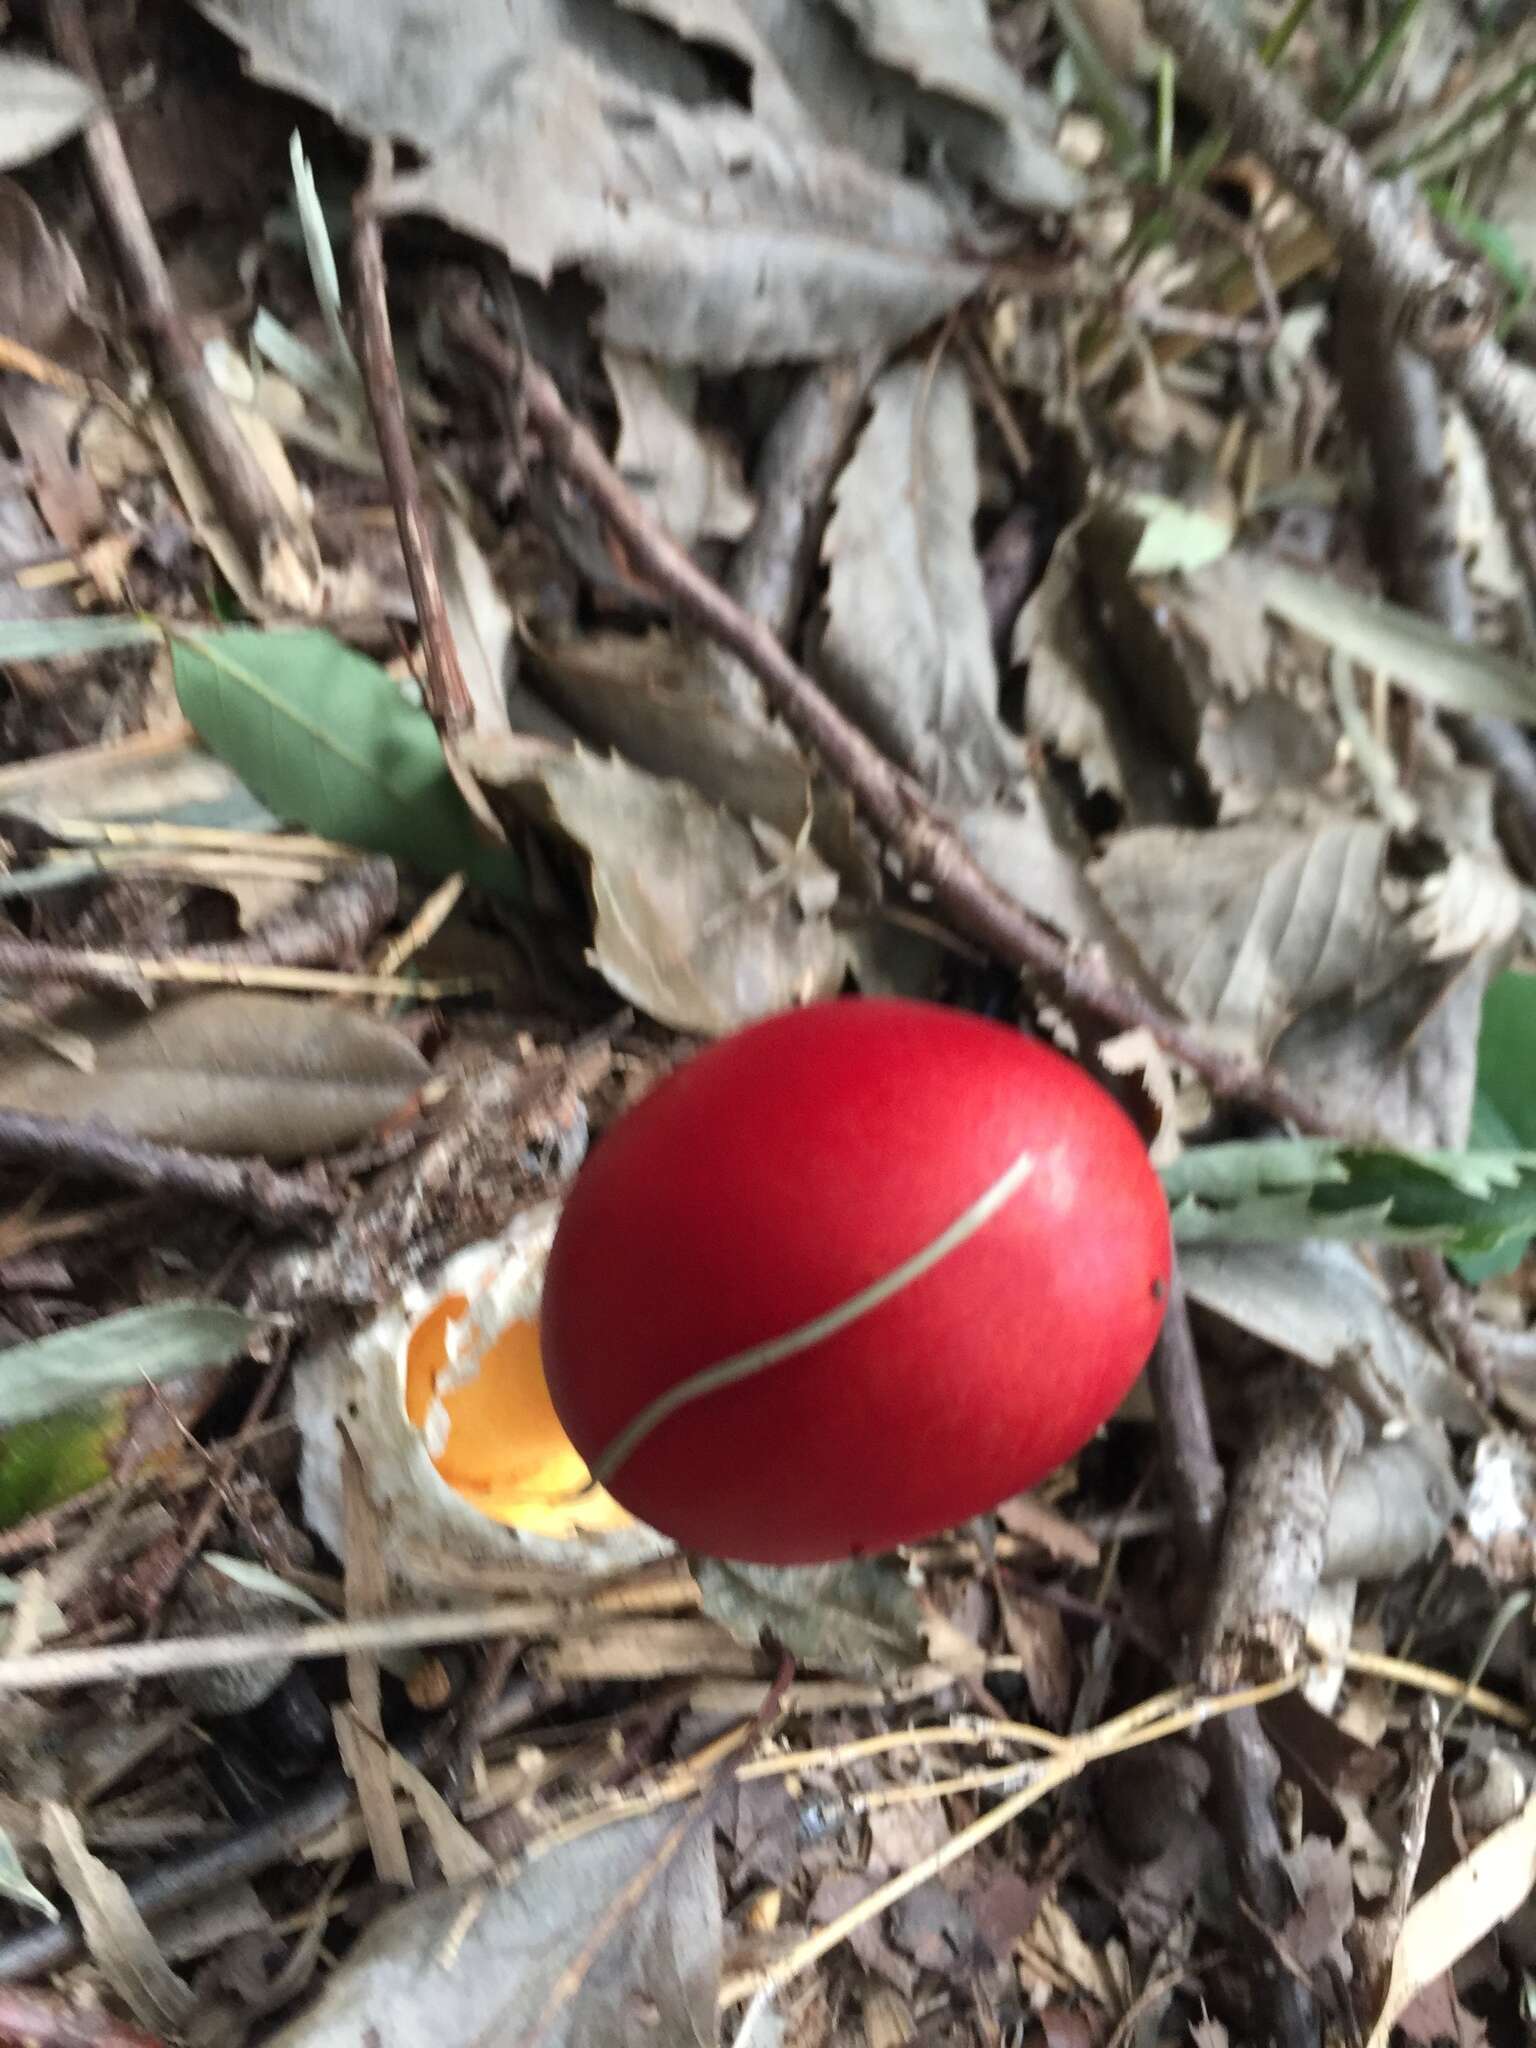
[93, 1148]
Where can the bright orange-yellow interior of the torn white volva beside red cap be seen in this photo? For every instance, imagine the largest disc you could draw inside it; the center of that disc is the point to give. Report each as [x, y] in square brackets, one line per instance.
[507, 1451]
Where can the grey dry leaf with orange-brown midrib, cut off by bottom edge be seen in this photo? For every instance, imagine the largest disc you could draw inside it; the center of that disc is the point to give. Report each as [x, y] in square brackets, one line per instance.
[597, 1945]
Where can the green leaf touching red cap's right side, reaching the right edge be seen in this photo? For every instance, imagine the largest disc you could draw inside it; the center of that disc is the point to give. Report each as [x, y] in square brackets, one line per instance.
[1283, 1191]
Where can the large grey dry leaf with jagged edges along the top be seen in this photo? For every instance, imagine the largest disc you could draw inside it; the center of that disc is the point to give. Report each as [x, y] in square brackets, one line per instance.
[714, 237]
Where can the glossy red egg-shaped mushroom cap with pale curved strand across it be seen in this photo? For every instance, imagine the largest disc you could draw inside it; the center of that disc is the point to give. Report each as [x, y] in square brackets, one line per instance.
[916, 1258]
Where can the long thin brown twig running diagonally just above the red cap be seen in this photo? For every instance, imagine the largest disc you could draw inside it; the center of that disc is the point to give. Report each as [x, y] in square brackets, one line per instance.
[900, 814]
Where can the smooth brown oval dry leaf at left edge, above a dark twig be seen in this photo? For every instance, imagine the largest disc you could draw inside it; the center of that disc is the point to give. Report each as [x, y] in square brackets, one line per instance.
[234, 1072]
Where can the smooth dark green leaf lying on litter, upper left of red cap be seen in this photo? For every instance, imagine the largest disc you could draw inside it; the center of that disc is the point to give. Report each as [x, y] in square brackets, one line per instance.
[325, 736]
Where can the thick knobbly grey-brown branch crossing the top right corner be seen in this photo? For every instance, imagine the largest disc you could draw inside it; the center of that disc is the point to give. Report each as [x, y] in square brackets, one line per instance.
[1433, 302]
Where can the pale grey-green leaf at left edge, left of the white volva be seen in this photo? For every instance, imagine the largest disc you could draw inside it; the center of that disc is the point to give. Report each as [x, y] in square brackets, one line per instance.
[118, 1351]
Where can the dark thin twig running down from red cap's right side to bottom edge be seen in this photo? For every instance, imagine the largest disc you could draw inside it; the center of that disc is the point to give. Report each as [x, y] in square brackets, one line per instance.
[1242, 1762]
